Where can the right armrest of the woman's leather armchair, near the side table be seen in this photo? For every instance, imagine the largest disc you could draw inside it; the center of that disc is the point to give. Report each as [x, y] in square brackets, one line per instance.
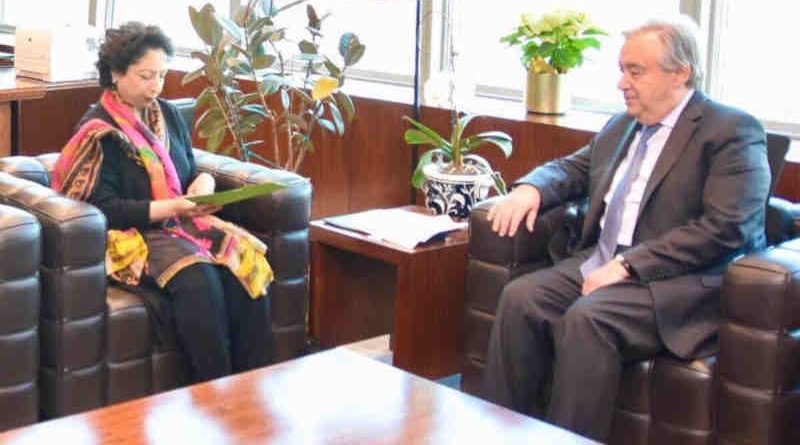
[281, 220]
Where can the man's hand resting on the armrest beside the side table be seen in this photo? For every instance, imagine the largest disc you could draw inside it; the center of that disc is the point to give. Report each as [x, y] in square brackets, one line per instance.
[508, 211]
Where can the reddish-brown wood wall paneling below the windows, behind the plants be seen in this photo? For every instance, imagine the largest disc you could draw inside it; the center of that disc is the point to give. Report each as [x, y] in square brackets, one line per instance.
[371, 165]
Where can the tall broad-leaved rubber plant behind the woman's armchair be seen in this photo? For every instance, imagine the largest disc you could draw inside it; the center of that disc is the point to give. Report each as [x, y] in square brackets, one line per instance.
[295, 92]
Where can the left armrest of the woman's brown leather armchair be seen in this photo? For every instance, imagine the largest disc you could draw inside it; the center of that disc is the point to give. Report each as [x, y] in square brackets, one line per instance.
[72, 273]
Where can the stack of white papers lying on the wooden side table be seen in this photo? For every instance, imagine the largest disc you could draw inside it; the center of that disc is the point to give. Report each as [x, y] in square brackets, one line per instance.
[397, 226]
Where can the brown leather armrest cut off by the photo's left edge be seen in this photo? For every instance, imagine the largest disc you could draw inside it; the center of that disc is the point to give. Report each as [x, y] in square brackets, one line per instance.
[20, 250]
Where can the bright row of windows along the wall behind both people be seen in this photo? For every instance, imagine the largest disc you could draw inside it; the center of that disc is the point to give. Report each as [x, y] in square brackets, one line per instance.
[747, 61]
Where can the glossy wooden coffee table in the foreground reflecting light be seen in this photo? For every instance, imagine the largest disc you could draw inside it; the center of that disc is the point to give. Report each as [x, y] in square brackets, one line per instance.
[335, 396]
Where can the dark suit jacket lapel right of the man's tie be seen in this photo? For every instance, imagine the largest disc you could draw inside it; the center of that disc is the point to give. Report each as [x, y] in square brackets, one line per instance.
[675, 145]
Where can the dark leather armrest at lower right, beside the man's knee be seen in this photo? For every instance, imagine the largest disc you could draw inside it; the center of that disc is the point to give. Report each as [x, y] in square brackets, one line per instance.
[759, 356]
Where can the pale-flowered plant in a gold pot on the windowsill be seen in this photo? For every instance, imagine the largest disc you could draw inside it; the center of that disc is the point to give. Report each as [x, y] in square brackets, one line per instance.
[552, 44]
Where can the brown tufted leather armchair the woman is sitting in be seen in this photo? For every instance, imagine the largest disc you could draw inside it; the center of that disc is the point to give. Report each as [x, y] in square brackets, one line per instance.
[97, 342]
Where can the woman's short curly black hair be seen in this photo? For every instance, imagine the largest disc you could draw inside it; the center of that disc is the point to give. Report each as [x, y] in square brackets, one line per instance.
[125, 45]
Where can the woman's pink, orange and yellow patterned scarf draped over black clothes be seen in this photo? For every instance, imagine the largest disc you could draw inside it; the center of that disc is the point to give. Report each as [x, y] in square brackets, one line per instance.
[76, 173]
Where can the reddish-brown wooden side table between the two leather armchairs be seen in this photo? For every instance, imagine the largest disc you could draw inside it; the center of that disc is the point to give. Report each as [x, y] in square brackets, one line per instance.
[362, 287]
